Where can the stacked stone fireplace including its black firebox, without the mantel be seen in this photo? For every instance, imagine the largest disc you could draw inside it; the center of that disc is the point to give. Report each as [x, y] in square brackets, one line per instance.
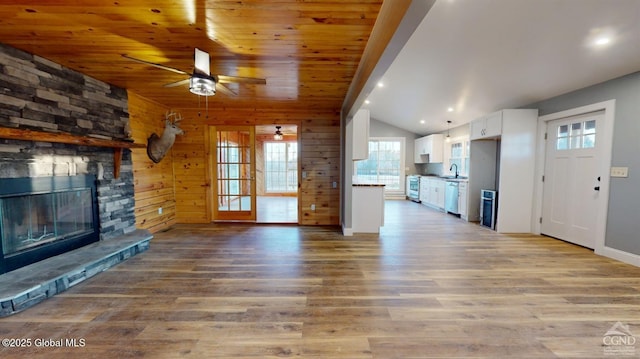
[60, 195]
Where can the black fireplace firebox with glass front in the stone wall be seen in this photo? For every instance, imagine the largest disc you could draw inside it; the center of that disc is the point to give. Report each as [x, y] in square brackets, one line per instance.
[41, 217]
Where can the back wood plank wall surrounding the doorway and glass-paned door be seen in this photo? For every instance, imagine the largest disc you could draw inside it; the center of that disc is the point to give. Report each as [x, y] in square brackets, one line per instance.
[319, 156]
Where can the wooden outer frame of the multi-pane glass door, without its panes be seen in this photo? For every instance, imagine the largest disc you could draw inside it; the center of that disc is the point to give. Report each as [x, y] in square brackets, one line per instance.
[212, 196]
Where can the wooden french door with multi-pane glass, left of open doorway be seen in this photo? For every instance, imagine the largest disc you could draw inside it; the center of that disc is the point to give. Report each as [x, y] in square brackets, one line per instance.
[234, 171]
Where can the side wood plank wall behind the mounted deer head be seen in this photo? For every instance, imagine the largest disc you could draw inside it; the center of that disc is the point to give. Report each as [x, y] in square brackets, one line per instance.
[154, 183]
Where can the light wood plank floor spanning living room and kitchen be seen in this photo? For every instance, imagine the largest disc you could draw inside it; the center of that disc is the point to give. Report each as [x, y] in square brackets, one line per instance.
[429, 286]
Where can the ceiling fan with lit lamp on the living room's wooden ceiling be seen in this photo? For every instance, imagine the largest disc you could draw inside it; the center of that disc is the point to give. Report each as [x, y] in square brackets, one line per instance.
[201, 82]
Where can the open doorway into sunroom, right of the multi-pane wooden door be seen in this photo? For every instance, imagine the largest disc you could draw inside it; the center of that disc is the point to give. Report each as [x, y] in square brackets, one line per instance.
[277, 174]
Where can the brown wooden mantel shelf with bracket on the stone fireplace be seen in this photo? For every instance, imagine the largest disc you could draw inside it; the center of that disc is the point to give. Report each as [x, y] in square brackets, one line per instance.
[40, 136]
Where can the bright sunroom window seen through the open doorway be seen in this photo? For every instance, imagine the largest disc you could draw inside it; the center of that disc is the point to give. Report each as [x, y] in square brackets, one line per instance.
[281, 167]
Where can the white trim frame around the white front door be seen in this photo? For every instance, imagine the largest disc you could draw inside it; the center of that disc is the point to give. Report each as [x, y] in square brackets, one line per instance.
[606, 141]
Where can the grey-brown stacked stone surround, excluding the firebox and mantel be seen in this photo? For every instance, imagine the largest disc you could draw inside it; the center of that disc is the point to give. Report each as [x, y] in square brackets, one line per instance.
[37, 94]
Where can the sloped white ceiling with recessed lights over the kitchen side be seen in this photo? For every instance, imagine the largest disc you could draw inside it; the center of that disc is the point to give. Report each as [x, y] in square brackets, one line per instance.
[468, 58]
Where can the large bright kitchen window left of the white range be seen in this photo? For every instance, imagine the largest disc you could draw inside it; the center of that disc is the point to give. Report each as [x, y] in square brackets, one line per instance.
[384, 165]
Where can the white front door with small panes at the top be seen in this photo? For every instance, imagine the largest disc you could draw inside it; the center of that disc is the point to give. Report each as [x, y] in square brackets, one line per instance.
[571, 189]
